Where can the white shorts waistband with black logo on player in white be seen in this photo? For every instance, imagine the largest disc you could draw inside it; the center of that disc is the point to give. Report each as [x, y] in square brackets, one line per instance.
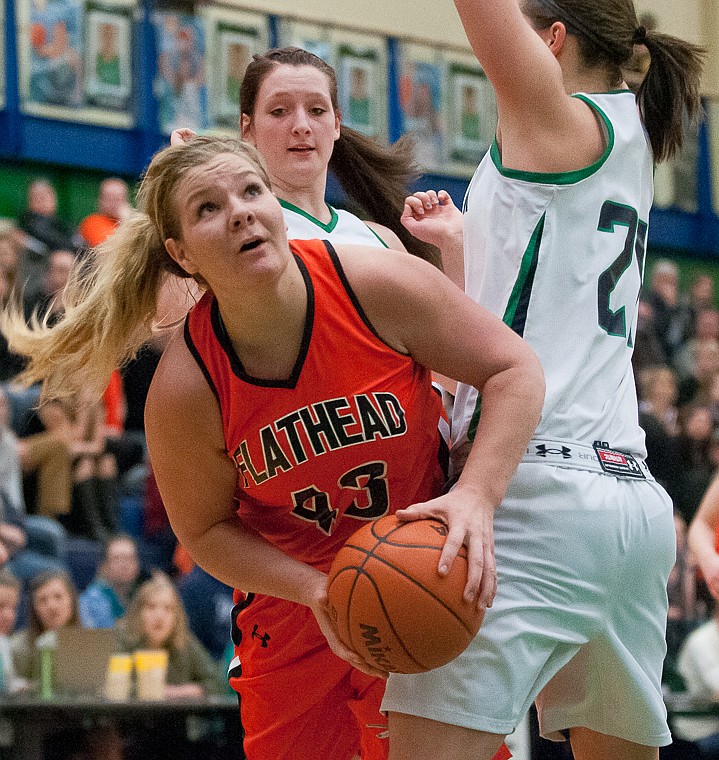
[599, 457]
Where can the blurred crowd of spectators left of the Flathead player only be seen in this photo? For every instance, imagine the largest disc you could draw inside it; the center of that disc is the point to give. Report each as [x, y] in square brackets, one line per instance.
[84, 537]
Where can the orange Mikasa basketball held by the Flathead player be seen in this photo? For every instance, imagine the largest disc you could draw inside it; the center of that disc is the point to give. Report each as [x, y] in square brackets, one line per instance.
[389, 603]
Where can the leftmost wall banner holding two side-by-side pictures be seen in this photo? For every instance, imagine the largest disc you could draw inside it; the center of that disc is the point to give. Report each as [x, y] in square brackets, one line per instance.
[75, 59]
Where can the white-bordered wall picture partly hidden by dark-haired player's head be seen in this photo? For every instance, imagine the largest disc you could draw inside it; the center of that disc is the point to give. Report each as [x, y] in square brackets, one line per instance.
[233, 38]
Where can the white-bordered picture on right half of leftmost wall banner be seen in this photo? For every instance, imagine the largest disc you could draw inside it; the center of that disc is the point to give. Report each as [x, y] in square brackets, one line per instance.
[108, 56]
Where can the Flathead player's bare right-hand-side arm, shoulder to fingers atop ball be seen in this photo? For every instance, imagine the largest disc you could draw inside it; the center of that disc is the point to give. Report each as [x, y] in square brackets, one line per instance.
[418, 310]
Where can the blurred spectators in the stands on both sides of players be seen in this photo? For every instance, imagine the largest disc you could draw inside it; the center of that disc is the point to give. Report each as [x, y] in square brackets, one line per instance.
[80, 512]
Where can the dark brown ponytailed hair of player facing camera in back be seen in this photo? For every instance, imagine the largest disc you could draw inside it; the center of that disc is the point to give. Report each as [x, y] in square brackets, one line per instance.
[374, 176]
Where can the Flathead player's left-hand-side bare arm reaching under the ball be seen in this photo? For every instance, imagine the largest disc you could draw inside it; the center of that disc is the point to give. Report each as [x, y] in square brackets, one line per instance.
[197, 481]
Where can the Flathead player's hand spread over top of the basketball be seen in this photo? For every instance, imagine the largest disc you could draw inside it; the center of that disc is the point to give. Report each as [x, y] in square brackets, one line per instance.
[470, 522]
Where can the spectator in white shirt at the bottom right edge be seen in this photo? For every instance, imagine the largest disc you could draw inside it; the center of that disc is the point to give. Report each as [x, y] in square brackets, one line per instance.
[699, 666]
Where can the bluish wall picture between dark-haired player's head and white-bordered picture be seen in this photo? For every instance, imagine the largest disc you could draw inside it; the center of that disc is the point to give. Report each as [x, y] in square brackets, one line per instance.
[421, 102]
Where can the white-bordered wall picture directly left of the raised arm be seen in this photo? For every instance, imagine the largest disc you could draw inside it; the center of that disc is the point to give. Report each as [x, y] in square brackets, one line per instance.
[471, 114]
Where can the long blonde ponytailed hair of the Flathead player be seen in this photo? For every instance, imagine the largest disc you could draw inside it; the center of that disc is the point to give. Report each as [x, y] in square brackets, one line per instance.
[110, 300]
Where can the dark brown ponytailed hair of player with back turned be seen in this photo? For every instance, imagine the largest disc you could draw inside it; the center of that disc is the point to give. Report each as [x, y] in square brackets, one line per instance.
[607, 32]
